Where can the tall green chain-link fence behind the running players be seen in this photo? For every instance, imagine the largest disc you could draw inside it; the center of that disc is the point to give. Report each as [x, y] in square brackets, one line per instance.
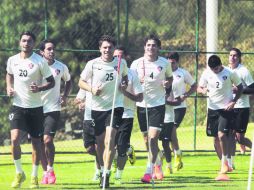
[77, 25]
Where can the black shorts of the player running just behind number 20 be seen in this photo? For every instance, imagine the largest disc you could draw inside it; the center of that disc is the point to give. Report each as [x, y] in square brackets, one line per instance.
[50, 122]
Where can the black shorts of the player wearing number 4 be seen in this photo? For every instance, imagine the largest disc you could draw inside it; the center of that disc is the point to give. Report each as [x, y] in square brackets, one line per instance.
[155, 117]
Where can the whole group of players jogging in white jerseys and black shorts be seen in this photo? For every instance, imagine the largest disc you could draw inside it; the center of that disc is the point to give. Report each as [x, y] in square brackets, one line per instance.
[110, 92]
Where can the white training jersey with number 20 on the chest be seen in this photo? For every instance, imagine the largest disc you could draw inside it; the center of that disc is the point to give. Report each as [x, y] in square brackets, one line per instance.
[26, 71]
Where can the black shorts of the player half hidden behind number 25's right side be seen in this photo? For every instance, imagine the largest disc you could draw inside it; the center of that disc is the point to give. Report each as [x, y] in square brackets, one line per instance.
[123, 134]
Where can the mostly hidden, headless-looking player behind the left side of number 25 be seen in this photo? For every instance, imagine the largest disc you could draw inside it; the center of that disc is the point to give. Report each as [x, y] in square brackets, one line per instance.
[83, 99]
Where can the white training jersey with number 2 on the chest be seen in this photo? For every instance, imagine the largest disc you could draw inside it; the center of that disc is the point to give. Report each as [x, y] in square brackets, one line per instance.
[219, 87]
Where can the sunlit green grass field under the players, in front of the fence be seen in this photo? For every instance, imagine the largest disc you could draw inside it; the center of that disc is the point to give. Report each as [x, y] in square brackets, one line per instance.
[75, 171]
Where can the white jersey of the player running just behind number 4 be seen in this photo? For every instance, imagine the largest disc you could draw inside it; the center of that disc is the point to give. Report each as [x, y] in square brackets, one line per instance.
[181, 77]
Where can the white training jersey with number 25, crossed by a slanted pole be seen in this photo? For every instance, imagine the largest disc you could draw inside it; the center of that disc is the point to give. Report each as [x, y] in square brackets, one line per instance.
[104, 74]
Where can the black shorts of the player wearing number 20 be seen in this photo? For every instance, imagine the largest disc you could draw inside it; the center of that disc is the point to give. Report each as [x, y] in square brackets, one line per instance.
[27, 119]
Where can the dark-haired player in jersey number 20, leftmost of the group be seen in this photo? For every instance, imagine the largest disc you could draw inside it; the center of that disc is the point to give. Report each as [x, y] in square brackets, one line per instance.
[25, 73]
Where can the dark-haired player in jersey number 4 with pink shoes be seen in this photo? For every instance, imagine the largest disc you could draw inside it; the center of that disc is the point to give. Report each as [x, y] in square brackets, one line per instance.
[155, 74]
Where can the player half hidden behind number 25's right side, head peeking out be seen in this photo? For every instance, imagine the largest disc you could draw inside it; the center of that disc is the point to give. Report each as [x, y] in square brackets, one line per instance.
[133, 94]
